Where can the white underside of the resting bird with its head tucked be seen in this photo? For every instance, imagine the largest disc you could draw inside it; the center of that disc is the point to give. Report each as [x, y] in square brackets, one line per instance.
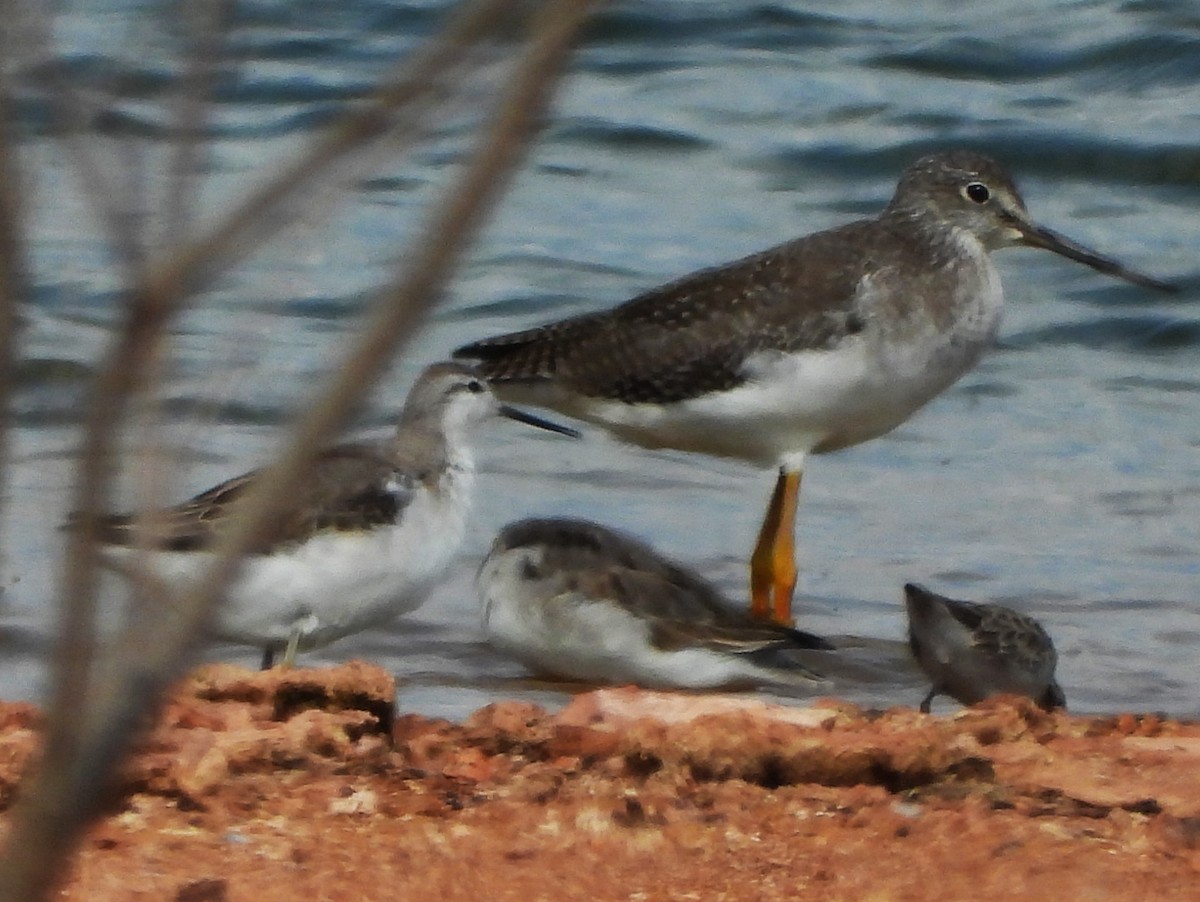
[580, 638]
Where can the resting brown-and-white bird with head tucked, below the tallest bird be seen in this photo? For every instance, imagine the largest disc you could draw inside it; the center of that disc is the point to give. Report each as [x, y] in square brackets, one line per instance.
[574, 600]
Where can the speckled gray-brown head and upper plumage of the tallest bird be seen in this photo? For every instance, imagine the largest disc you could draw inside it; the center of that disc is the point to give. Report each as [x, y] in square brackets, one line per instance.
[693, 336]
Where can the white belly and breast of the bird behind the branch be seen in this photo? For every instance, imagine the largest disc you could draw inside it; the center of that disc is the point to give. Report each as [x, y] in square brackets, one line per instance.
[335, 584]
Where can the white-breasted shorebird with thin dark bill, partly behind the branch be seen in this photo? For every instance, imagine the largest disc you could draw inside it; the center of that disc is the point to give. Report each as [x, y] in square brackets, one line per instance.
[364, 539]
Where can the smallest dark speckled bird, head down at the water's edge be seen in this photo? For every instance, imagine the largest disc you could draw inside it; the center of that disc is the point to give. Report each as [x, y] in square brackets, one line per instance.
[971, 652]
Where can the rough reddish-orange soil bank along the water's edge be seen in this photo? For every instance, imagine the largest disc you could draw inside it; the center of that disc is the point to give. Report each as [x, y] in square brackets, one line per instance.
[302, 785]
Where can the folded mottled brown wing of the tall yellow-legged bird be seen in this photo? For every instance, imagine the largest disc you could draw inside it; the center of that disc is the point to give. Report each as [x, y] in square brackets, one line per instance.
[692, 336]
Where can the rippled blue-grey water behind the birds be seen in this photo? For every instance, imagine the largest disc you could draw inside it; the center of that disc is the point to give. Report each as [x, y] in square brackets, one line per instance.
[1061, 477]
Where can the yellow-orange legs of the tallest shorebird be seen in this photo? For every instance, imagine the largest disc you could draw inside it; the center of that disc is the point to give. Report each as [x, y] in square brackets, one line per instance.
[773, 564]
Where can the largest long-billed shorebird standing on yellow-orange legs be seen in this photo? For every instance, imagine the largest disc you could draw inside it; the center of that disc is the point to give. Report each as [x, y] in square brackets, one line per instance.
[811, 347]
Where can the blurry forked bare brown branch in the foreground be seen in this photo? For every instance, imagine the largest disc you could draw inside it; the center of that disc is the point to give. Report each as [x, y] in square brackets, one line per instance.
[91, 731]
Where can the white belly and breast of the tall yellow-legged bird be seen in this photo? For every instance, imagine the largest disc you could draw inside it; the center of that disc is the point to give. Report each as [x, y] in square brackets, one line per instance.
[794, 404]
